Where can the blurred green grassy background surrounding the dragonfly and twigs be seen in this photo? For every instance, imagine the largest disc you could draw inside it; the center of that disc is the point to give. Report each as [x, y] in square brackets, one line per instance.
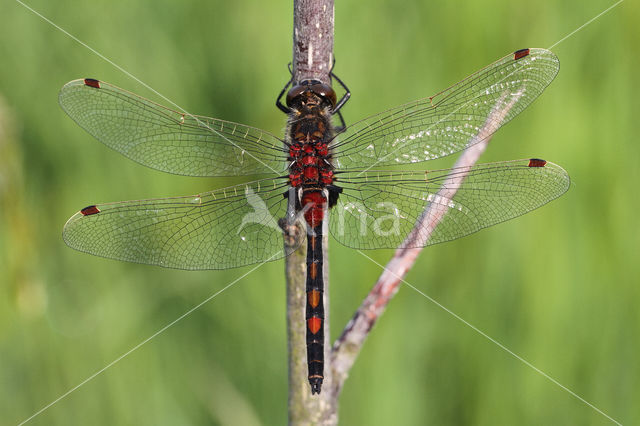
[558, 286]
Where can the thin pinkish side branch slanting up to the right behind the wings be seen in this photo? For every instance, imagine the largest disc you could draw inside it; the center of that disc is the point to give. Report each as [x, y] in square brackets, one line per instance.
[348, 345]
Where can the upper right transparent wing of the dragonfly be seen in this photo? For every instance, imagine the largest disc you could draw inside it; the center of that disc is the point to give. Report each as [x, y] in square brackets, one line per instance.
[445, 123]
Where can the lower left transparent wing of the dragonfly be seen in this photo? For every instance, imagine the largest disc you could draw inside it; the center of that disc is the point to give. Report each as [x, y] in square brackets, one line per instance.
[221, 229]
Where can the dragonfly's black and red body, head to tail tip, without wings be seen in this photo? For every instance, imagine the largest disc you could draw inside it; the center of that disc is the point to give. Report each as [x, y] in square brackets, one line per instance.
[309, 133]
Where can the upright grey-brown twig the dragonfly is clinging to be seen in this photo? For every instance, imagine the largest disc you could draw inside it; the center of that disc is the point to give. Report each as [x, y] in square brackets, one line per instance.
[312, 59]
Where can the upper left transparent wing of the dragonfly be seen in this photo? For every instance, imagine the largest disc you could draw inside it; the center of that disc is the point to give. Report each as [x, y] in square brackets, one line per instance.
[168, 140]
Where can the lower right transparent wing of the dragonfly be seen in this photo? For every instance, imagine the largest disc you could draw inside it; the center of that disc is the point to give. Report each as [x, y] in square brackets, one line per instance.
[379, 209]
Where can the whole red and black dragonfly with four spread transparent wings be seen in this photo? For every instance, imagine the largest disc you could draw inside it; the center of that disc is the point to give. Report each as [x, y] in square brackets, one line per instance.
[327, 179]
